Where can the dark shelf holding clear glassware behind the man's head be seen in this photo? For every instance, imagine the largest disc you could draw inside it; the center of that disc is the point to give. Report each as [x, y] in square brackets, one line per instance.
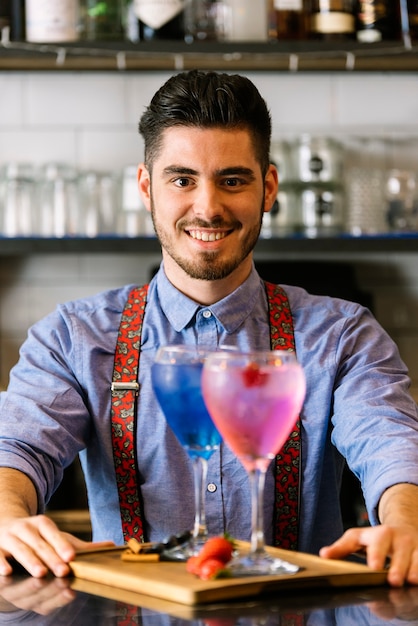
[344, 245]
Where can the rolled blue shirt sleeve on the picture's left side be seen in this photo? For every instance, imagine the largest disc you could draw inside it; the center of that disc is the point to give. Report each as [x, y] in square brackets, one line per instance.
[44, 414]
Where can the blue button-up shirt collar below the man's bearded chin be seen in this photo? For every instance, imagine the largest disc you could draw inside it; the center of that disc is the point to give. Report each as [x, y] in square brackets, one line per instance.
[230, 312]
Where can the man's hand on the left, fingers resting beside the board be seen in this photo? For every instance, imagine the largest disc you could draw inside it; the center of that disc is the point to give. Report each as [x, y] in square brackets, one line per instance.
[39, 546]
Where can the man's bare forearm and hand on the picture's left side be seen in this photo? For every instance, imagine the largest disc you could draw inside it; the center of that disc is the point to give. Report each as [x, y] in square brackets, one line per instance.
[32, 540]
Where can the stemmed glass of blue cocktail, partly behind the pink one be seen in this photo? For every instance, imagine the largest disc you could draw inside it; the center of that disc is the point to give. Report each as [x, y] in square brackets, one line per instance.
[176, 379]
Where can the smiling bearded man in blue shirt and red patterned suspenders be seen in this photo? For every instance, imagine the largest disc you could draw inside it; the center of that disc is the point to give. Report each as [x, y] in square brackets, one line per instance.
[207, 180]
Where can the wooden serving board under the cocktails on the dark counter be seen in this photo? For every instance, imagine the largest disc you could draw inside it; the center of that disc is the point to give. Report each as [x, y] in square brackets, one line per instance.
[171, 582]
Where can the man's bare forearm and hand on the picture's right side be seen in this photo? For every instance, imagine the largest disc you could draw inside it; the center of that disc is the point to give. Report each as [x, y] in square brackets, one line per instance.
[396, 537]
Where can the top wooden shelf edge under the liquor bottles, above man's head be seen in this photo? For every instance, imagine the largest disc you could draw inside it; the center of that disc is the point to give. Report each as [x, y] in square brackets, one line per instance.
[272, 56]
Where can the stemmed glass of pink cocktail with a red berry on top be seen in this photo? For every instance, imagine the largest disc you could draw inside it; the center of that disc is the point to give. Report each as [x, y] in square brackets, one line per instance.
[254, 399]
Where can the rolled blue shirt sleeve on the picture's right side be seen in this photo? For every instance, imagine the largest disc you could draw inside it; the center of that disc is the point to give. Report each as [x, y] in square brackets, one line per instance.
[374, 417]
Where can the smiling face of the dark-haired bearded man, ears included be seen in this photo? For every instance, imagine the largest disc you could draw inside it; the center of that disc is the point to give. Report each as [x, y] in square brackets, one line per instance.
[206, 195]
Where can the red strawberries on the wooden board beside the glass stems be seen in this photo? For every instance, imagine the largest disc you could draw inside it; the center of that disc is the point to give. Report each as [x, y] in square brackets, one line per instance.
[212, 560]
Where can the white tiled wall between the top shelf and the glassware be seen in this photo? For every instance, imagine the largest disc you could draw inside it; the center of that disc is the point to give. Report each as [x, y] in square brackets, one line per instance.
[90, 119]
